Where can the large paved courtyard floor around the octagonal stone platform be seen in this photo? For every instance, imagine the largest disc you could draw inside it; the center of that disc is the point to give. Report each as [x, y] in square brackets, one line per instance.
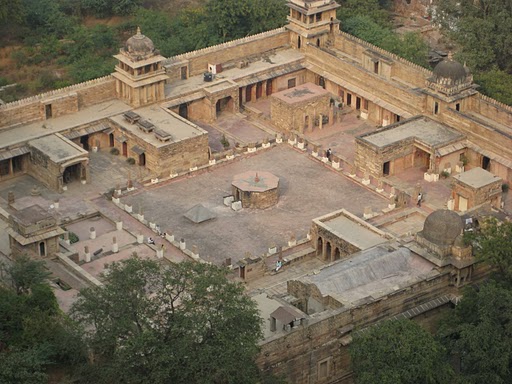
[307, 189]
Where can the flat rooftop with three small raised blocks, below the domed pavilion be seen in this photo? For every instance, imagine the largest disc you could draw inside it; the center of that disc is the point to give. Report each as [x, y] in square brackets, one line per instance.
[163, 120]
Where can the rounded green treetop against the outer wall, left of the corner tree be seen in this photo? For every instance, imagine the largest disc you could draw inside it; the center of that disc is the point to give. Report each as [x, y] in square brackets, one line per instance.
[398, 352]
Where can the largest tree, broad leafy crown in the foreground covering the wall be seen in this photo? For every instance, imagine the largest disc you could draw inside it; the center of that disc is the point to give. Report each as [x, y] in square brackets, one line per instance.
[185, 324]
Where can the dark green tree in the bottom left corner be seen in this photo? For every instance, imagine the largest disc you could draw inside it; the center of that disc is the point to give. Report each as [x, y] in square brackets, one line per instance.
[34, 333]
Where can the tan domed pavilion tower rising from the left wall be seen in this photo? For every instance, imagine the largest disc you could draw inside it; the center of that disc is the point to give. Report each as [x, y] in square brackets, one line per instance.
[139, 74]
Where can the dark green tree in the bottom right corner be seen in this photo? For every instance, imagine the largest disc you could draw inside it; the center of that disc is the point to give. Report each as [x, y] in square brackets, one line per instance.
[478, 334]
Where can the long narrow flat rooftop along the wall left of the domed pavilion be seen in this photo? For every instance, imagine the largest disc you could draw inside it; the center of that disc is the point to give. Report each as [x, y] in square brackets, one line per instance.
[26, 132]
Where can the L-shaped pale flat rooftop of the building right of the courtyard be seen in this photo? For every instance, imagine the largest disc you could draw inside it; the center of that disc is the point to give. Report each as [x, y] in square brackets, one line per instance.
[424, 130]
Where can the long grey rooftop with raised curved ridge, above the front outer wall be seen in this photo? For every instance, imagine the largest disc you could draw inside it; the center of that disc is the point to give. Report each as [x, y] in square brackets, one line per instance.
[371, 274]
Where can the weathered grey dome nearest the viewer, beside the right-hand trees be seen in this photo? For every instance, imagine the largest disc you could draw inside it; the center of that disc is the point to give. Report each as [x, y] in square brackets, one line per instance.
[442, 227]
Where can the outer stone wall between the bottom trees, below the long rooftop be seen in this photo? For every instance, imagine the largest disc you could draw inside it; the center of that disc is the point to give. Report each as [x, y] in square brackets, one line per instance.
[298, 354]
